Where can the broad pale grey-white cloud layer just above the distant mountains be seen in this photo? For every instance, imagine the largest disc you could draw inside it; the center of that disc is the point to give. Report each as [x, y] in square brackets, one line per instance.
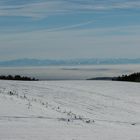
[72, 43]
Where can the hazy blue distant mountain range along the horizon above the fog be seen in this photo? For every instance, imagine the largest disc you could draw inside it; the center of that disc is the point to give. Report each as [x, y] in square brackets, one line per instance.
[49, 62]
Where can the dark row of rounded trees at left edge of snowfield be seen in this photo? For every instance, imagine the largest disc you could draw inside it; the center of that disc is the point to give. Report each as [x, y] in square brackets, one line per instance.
[17, 77]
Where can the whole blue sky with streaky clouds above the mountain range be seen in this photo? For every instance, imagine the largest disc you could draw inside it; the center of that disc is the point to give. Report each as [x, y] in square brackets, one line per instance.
[67, 29]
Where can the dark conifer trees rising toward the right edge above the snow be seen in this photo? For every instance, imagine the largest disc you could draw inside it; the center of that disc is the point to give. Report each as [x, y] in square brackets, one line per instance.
[135, 77]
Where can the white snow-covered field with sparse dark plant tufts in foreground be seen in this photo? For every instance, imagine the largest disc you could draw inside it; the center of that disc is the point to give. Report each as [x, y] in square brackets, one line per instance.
[69, 110]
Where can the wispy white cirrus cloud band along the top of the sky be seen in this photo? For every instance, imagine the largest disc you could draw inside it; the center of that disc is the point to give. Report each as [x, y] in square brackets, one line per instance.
[43, 8]
